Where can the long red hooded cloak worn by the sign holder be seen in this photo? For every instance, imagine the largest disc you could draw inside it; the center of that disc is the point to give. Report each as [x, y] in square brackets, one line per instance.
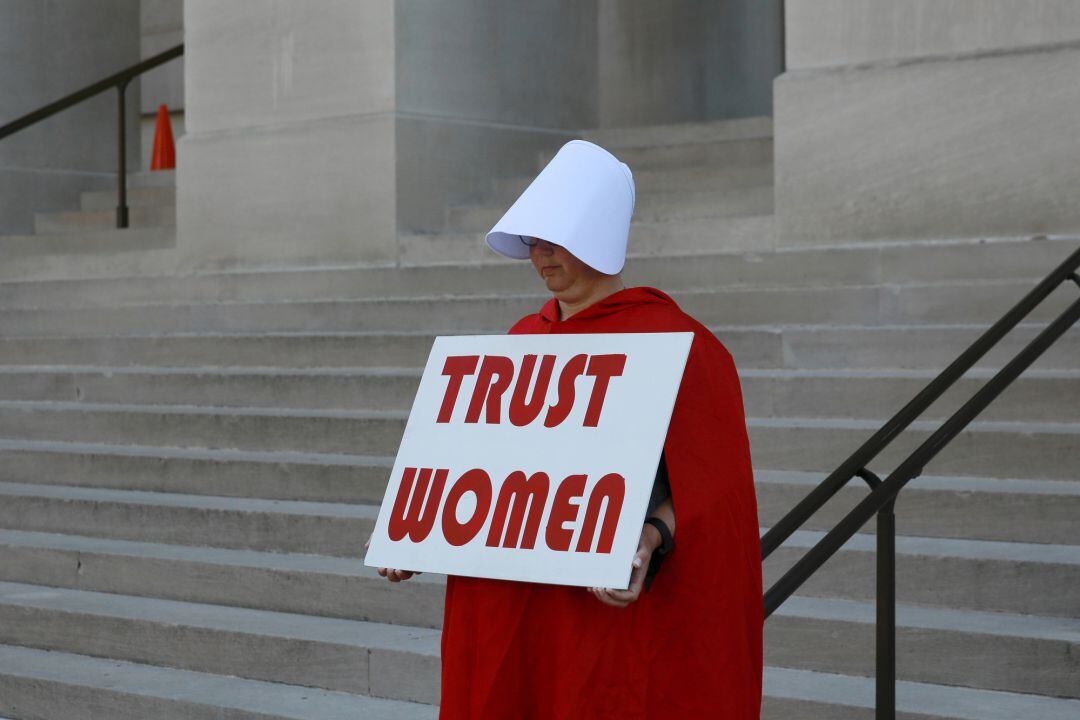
[692, 646]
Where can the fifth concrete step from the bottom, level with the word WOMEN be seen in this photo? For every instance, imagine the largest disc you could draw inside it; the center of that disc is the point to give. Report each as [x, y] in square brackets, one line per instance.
[955, 507]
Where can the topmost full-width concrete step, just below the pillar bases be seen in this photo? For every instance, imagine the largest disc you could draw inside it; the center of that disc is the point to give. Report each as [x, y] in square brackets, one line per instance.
[1022, 260]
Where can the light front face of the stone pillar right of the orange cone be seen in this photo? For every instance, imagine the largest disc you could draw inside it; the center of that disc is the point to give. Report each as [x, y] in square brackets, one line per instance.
[290, 144]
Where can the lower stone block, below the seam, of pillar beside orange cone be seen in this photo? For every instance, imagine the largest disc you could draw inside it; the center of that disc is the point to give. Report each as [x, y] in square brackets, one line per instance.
[288, 194]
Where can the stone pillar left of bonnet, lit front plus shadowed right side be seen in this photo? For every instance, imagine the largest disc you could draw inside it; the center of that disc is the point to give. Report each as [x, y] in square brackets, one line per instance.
[316, 133]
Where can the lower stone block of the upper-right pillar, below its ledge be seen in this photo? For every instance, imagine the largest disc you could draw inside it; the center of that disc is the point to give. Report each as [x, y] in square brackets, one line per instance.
[971, 148]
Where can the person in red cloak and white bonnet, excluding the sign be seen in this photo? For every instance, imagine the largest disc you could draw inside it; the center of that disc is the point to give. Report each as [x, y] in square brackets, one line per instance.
[690, 647]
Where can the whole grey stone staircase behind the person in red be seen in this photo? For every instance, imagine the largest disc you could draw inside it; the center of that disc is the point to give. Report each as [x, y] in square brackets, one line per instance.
[190, 466]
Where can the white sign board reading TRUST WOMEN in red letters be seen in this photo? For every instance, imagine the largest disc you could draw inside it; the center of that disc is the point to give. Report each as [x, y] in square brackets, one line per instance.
[531, 457]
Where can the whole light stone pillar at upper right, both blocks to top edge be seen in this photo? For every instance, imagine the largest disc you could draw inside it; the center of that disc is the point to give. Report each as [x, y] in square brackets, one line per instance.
[928, 119]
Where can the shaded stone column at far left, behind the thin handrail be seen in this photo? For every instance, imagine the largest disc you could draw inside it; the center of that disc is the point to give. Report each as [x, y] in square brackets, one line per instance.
[50, 49]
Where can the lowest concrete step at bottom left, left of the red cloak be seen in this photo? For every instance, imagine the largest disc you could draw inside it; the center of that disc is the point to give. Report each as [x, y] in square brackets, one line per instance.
[38, 684]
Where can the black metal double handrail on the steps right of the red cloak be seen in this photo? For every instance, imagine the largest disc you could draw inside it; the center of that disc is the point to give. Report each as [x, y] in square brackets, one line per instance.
[884, 493]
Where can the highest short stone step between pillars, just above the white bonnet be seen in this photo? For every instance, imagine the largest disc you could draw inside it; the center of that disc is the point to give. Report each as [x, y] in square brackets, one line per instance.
[713, 131]
